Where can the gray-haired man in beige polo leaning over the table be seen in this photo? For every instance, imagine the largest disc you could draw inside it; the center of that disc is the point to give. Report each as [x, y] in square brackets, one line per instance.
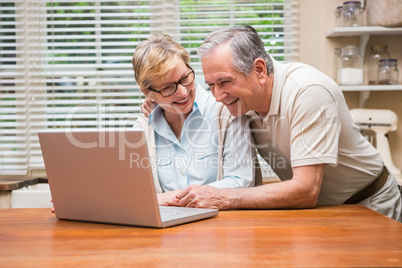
[302, 127]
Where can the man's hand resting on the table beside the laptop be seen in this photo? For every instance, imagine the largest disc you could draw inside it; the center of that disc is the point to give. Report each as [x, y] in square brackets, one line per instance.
[205, 196]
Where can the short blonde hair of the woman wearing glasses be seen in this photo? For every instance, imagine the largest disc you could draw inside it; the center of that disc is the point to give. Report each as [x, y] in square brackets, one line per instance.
[156, 57]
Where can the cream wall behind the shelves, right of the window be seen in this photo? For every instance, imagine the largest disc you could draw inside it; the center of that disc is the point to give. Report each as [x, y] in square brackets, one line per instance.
[316, 17]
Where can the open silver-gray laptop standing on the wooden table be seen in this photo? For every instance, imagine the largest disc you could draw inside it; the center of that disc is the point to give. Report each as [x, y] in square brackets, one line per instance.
[106, 177]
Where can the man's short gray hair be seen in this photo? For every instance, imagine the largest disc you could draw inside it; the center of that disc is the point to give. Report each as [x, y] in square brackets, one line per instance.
[244, 43]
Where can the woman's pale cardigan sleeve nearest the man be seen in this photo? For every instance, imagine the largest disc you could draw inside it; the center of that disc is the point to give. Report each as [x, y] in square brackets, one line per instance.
[238, 156]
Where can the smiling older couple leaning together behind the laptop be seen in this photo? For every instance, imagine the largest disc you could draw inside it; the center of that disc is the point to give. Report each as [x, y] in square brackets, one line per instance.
[203, 146]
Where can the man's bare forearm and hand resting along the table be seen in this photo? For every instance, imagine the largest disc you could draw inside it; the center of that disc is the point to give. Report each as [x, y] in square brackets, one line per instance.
[300, 192]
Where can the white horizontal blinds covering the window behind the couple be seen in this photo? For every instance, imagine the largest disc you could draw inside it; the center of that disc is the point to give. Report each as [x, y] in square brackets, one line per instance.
[67, 64]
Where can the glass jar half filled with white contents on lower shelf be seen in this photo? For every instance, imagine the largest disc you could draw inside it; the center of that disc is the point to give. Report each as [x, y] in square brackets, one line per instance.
[350, 67]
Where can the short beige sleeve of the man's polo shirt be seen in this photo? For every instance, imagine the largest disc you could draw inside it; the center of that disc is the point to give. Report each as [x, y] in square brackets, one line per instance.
[314, 127]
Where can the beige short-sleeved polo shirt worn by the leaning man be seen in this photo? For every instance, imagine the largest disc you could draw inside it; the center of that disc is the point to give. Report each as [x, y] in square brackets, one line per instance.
[309, 123]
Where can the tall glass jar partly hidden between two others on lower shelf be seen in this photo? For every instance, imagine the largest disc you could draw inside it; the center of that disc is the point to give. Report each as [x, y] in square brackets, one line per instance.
[377, 53]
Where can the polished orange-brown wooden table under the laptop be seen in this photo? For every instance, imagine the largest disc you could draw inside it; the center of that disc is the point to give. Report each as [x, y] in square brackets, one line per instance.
[335, 236]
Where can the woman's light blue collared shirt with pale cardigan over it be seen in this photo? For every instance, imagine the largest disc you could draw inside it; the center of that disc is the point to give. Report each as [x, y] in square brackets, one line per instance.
[194, 158]
